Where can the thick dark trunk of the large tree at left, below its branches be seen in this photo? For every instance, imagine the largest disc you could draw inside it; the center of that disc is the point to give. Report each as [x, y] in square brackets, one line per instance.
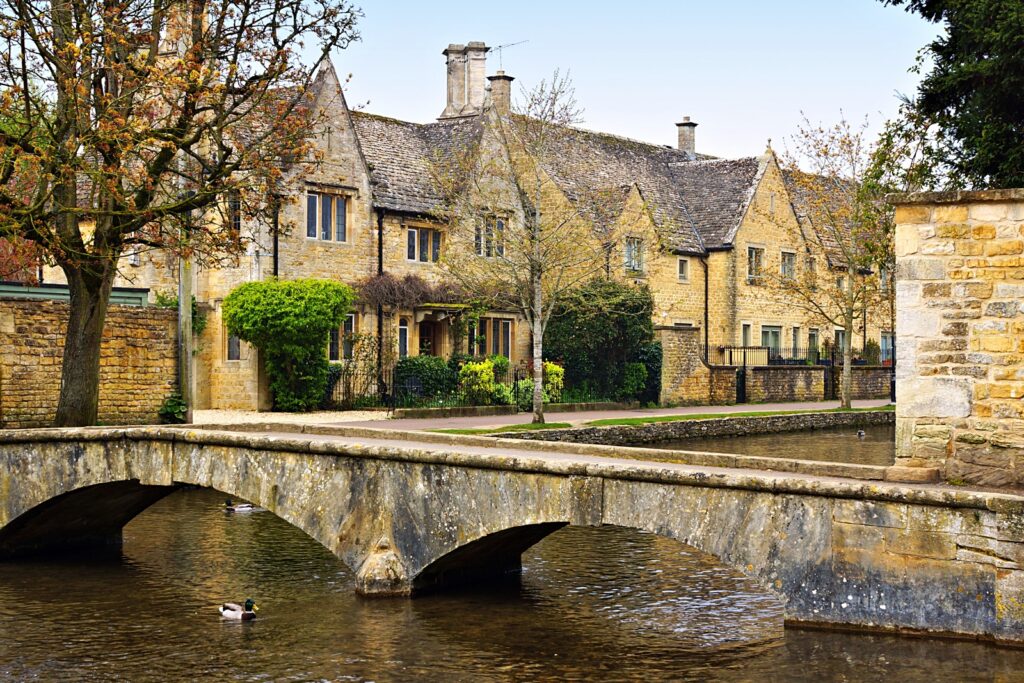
[79, 403]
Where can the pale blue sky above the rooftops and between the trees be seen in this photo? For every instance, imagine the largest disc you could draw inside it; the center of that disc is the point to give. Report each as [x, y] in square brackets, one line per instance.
[744, 70]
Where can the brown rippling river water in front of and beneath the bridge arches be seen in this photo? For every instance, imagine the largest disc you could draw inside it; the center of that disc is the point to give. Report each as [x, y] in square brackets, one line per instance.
[592, 605]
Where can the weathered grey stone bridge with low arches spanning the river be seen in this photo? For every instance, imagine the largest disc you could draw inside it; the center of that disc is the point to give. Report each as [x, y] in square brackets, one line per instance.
[414, 516]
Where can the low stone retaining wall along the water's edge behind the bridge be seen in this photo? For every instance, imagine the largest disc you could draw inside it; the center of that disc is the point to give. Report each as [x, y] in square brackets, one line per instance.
[656, 433]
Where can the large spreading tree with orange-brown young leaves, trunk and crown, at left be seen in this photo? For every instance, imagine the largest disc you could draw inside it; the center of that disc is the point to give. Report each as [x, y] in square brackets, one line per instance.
[130, 117]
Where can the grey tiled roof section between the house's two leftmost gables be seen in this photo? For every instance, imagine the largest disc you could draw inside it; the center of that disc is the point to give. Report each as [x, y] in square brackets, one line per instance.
[399, 155]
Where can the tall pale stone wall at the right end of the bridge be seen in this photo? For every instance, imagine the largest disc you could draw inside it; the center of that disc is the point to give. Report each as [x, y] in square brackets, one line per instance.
[960, 325]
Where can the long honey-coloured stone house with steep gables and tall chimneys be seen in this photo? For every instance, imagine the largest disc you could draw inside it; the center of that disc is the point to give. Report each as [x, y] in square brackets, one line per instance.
[689, 226]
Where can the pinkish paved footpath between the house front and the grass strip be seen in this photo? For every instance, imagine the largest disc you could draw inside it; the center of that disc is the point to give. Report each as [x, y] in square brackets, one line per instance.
[479, 422]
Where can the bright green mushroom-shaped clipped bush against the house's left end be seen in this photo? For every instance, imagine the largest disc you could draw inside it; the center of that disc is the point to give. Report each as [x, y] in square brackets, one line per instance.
[290, 322]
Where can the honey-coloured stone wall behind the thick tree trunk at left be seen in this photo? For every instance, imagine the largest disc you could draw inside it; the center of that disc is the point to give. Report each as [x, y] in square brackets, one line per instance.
[139, 362]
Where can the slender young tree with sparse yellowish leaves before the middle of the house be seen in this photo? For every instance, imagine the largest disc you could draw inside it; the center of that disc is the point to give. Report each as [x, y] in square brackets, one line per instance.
[515, 239]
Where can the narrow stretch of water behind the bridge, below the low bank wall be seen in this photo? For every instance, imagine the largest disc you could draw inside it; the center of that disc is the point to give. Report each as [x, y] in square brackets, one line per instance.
[877, 446]
